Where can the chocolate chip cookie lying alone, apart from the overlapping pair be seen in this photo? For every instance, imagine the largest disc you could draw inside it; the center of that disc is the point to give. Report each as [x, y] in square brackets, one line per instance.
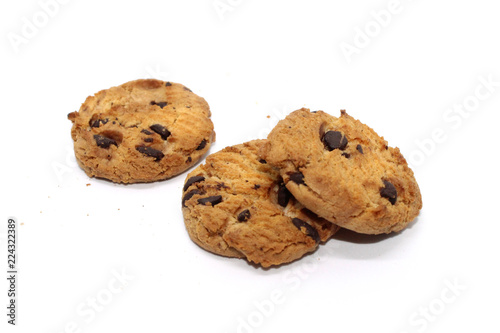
[141, 131]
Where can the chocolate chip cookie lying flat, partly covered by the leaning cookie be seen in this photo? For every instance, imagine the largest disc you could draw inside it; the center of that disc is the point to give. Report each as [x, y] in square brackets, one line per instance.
[236, 205]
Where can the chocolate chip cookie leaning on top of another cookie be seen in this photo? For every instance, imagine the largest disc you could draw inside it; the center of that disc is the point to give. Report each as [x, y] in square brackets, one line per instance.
[343, 171]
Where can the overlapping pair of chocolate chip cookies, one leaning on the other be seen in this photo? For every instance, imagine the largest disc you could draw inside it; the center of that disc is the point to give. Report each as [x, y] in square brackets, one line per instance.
[272, 201]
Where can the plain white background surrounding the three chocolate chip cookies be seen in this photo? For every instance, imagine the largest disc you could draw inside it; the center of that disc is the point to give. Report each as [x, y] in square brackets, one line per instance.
[252, 59]
